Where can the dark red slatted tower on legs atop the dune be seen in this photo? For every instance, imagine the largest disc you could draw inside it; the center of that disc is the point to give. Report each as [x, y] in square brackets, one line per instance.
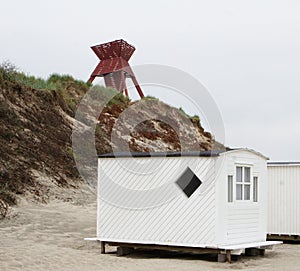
[114, 66]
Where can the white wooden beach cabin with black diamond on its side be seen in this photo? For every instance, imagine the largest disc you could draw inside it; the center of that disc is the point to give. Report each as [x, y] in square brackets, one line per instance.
[214, 201]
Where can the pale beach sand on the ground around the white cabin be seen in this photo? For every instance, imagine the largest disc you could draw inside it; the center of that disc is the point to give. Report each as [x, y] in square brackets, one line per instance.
[51, 237]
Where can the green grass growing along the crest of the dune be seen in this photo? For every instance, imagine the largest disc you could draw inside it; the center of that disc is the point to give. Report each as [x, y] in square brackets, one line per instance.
[68, 88]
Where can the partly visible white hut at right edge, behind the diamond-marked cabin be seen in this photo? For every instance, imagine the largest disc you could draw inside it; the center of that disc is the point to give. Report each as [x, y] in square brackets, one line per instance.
[284, 200]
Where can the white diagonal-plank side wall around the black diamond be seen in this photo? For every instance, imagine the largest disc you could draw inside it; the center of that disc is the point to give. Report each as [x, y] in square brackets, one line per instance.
[140, 202]
